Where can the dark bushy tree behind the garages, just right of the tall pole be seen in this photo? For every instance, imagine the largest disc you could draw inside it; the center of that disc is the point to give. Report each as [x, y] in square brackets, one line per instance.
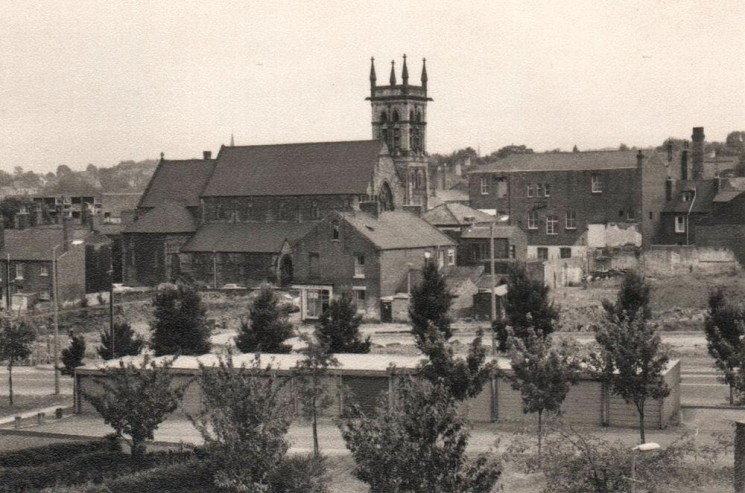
[527, 306]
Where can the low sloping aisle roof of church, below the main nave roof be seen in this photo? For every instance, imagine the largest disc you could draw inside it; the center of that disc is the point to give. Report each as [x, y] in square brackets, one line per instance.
[246, 237]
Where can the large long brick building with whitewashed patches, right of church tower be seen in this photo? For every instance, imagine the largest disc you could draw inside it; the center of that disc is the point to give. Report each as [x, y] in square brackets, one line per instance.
[569, 202]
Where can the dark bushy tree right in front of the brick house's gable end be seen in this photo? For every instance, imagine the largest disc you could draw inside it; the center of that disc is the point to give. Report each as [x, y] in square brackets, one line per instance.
[339, 327]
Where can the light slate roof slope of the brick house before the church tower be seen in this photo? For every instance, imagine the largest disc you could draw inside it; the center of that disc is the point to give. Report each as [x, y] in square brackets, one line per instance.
[395, 230]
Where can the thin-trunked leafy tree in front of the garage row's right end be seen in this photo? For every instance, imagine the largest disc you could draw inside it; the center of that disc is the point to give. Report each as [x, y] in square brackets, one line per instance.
[631, 360]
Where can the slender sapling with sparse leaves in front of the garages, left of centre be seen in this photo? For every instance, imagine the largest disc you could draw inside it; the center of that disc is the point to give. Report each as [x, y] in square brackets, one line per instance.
[311, 374]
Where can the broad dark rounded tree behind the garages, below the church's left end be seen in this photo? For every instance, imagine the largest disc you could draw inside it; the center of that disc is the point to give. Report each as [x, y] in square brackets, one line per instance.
[180, 325]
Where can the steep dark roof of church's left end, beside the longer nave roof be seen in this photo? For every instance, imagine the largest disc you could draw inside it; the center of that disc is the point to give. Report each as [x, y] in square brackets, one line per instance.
[178, 181]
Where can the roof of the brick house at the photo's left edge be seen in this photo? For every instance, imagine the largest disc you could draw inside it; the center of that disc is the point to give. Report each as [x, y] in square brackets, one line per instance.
[36, 243]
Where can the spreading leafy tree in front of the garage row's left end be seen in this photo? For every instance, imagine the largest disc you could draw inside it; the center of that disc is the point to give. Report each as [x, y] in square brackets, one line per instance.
[135, 399]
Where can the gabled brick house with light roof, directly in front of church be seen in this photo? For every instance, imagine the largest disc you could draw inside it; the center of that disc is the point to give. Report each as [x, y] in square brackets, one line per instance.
[367, 254]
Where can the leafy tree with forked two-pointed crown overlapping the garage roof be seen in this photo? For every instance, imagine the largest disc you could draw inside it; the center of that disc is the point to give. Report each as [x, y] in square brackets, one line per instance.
[464, 378]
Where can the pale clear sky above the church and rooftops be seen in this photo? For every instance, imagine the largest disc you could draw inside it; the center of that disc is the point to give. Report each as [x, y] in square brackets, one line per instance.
[100, 82]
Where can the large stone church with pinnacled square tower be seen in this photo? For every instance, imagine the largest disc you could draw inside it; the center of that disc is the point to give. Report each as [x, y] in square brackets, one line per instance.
[235, 219]
